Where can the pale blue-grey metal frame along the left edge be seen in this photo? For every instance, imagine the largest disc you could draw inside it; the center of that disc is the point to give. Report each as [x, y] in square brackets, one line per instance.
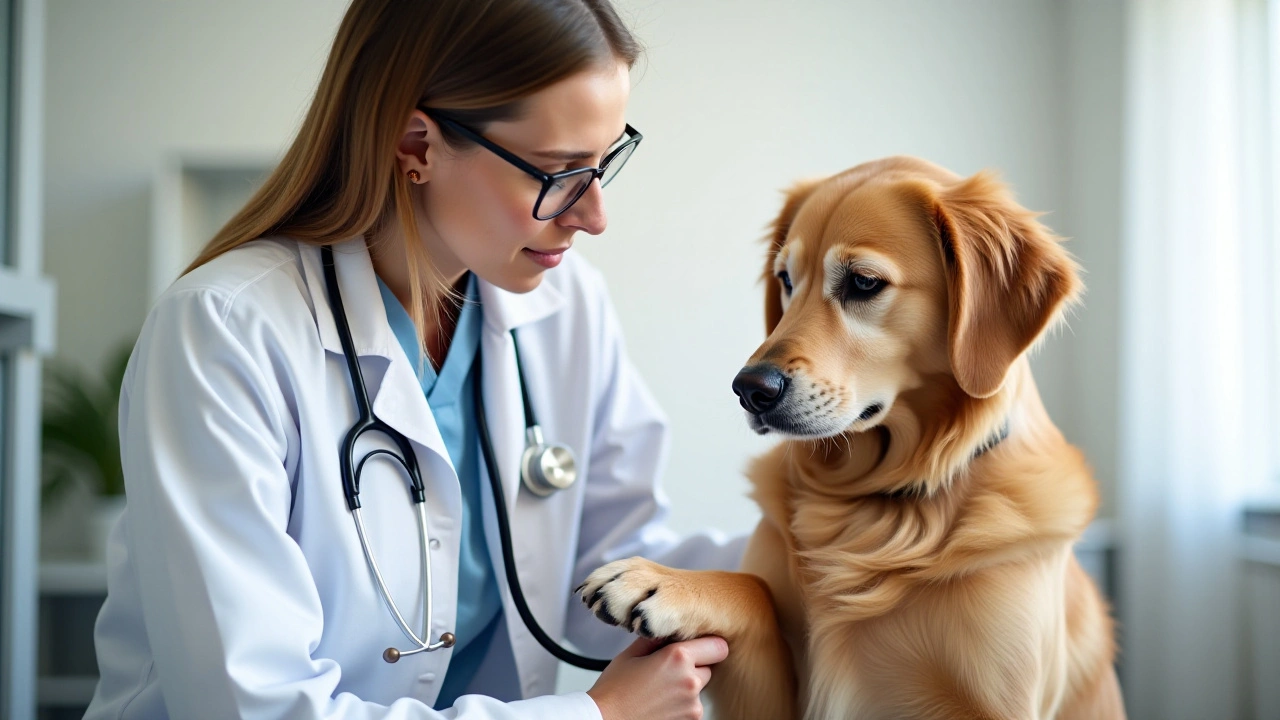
[26, 335]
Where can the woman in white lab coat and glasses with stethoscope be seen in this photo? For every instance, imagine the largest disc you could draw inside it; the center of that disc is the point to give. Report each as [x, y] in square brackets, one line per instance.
[396, 306]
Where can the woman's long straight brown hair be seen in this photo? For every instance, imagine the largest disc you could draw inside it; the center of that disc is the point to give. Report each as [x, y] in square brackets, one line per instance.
[474, 60]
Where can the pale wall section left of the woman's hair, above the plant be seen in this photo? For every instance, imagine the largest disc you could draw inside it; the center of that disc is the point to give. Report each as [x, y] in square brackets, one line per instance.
[129, 80]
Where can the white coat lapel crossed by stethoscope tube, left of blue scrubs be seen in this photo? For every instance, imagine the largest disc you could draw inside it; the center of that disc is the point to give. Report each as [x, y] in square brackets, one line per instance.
[390, 376]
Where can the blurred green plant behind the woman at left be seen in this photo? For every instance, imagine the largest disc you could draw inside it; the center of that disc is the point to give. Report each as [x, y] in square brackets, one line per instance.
[79, 434]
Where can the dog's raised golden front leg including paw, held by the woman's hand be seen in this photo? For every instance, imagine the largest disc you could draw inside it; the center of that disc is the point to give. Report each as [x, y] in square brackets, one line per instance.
[757, 681]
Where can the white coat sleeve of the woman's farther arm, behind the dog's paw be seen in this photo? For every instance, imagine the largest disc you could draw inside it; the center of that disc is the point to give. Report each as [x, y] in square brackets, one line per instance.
[625, 508]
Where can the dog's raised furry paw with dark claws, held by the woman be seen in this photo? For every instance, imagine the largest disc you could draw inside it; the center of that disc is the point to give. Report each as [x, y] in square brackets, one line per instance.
[642, 596]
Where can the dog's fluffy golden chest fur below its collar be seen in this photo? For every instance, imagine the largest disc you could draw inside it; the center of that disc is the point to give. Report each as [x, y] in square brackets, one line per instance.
[893, 590]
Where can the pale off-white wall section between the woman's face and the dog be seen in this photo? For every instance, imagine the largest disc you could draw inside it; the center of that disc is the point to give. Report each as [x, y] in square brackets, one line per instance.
[737, 101]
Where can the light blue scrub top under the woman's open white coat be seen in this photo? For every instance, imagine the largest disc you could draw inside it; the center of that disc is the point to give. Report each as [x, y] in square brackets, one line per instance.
[451, 395]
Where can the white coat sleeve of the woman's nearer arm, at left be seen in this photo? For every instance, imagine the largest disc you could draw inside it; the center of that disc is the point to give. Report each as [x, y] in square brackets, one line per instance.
[231, 610]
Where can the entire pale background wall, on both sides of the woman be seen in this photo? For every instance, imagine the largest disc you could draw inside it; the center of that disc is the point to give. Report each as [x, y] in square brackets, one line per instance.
[737, 99]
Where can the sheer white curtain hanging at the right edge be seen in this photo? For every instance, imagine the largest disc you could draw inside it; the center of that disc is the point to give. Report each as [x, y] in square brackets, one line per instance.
[1199, 363]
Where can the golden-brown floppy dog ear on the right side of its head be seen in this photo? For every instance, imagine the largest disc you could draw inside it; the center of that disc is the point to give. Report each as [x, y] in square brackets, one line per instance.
[1009, 280]
